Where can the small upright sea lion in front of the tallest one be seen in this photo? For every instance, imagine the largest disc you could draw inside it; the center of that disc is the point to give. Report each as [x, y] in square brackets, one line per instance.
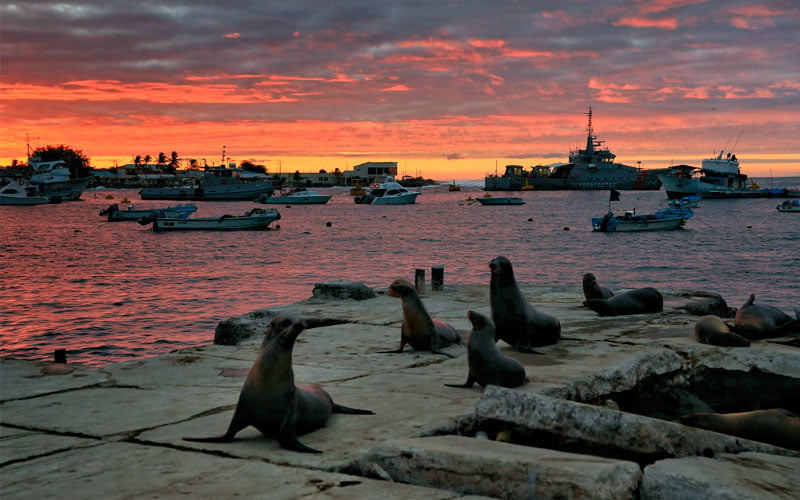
[487, 365]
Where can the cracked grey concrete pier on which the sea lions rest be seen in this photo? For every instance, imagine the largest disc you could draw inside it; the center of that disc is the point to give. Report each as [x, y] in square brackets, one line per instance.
[116, 432]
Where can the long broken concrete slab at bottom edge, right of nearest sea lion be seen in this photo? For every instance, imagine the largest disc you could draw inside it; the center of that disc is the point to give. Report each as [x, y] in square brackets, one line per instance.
[478, 467]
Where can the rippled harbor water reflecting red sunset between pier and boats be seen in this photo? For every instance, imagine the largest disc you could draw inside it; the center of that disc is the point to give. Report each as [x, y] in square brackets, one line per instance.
[109, 292]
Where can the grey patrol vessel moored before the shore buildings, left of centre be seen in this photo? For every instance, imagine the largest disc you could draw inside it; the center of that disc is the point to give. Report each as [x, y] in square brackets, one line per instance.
[217, 183]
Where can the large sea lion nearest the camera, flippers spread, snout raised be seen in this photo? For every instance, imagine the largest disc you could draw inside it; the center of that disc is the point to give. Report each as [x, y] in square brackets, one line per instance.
[269, 400]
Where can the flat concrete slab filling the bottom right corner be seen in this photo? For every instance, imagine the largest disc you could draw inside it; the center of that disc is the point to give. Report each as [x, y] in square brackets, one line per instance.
[746, 475]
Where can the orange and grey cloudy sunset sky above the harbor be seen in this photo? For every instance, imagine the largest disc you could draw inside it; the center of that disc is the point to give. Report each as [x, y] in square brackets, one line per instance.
[448, 89]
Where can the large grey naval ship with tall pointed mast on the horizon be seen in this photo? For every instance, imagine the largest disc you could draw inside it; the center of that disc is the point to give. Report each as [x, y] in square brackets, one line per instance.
[591, 168]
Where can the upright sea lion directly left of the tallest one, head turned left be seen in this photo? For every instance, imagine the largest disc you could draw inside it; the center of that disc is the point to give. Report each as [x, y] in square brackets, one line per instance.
[419, 330]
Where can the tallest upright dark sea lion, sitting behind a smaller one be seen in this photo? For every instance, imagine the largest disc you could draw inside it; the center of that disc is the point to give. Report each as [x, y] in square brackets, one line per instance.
[516, 321]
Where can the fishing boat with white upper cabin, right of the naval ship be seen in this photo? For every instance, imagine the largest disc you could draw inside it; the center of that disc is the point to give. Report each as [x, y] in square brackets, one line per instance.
[718, 177]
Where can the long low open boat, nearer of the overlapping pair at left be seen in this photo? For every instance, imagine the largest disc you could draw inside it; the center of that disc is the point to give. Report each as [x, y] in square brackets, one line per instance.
[257, 218]
